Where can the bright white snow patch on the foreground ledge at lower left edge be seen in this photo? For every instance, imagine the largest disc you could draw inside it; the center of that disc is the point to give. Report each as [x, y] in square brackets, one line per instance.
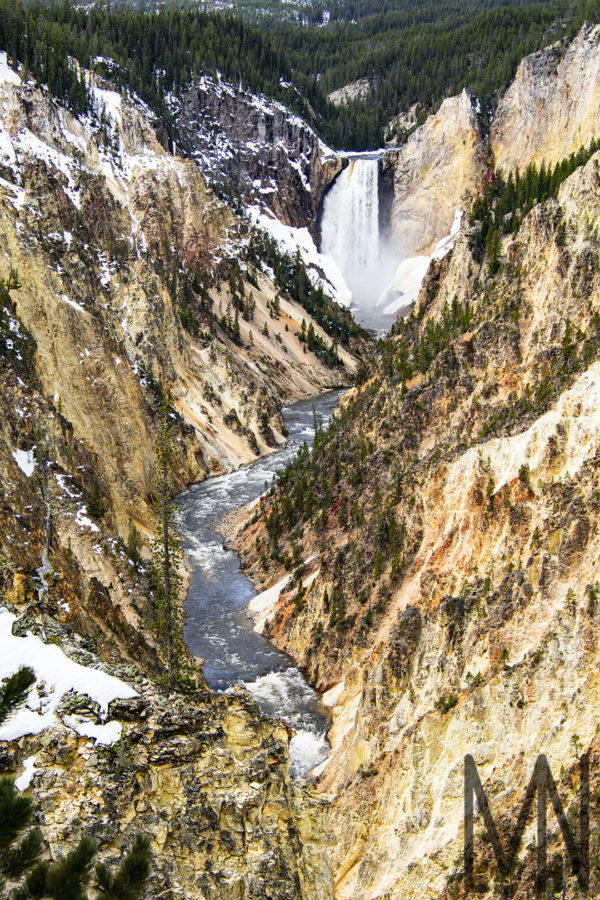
[60, 675]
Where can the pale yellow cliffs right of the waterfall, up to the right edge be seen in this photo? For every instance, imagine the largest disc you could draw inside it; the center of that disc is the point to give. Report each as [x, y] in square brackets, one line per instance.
[548, 112]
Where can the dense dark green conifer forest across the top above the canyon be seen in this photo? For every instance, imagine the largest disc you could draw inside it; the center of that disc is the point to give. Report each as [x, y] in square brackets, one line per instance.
[412, 51]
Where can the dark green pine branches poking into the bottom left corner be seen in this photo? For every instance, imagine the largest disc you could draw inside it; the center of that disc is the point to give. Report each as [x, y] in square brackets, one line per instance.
[67, 879]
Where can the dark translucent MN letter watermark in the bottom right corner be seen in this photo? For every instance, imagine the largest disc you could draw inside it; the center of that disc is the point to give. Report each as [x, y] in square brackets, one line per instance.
[543, 787]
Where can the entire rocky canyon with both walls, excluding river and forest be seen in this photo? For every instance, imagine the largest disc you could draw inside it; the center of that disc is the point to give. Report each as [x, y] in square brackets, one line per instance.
[431, 565]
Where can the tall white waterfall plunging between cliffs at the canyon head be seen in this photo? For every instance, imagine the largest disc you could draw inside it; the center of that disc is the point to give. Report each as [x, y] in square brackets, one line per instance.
[350, 233]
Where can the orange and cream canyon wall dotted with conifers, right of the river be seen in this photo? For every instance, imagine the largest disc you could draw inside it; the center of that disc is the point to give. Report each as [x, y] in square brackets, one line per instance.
[451, 606]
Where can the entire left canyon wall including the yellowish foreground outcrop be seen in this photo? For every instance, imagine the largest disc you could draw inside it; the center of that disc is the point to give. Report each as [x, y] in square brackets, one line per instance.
[131, 276]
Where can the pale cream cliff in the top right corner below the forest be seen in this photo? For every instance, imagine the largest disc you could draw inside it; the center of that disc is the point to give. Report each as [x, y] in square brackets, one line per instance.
[552, 108]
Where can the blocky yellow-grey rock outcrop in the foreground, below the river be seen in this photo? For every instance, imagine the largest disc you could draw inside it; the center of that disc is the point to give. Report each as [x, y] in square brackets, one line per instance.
[206, 777]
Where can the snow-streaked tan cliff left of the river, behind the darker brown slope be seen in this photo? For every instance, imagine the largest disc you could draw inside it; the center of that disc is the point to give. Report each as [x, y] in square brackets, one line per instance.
[119, 245]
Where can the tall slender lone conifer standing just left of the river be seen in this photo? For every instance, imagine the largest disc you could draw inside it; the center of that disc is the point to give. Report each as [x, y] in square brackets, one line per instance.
[166, 578]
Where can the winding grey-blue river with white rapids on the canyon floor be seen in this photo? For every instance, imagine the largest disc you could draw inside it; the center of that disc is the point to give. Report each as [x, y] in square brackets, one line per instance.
[218, 626]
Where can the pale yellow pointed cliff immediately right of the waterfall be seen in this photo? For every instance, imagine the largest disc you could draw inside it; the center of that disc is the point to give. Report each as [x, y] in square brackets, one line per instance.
[441, 162]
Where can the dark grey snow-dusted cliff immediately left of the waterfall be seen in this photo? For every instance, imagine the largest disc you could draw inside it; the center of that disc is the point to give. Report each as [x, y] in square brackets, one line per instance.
[262, 152]
